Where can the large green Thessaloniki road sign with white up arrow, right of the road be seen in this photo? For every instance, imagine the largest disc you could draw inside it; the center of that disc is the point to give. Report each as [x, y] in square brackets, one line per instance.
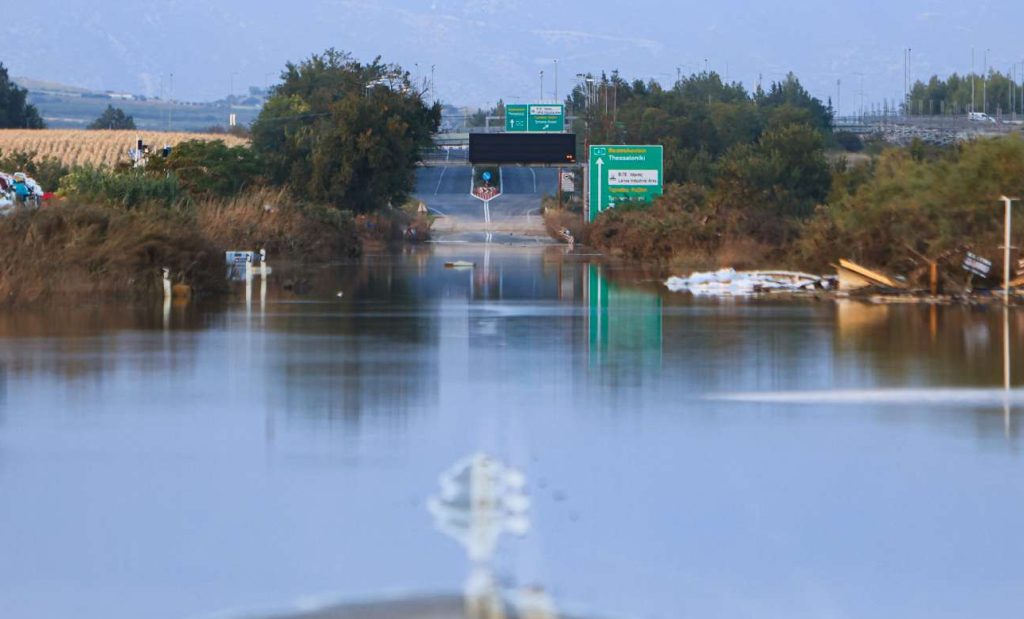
[621, 174]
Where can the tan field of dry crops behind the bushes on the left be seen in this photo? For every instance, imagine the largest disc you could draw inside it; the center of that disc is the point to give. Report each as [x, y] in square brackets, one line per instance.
[98, 148]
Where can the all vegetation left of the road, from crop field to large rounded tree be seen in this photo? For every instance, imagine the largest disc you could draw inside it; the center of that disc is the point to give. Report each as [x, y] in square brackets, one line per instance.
[329, 168]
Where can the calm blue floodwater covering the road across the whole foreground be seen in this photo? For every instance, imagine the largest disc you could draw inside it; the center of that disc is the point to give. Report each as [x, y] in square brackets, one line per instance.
[537, 430]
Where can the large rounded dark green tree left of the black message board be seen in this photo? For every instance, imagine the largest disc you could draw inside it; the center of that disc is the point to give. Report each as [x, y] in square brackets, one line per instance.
[346, 133]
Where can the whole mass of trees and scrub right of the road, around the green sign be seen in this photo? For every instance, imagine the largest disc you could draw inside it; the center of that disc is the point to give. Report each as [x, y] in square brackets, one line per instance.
[761, 181]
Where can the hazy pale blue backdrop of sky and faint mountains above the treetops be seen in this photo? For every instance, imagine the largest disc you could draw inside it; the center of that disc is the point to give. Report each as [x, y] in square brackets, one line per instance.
[487, 50]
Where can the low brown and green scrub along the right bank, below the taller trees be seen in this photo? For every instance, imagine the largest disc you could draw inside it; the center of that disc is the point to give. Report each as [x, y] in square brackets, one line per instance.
[908, 203]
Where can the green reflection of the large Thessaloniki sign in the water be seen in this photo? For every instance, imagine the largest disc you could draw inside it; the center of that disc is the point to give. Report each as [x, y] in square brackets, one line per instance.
[625, 323]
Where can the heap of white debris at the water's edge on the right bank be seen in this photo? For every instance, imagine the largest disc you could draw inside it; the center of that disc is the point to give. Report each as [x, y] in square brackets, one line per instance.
[730, 282]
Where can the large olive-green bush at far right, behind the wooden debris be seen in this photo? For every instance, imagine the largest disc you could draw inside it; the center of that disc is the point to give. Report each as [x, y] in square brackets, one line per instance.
[910, 205]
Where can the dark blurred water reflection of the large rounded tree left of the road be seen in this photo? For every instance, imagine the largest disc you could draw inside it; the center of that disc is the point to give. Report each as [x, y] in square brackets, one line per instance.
[372, 351]
